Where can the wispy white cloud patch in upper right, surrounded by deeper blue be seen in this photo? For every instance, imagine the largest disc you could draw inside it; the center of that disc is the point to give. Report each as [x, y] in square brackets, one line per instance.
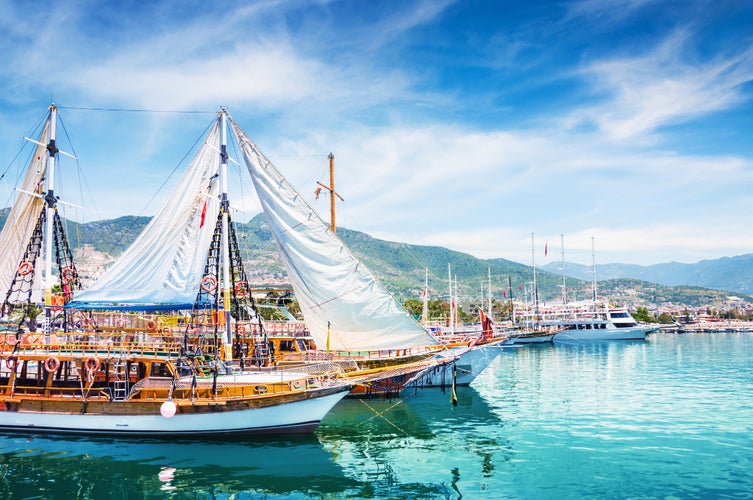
[640, 94]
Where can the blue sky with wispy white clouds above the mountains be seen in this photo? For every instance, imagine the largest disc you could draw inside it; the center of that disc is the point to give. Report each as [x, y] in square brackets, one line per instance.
[468, 124]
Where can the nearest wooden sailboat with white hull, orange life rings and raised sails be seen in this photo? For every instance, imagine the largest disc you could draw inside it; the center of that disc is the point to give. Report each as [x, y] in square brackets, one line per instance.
[120, 371]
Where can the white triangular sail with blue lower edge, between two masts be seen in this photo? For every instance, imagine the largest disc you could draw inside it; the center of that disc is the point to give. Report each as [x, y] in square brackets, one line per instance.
[164, 266]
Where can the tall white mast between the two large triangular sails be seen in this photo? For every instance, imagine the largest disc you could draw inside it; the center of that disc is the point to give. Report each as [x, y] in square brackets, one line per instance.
[225, 208]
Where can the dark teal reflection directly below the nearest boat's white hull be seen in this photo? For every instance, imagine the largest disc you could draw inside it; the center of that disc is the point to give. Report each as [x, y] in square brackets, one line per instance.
[139, 468]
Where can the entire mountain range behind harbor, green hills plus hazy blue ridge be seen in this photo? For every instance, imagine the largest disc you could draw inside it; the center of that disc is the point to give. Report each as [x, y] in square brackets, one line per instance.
[401, 268]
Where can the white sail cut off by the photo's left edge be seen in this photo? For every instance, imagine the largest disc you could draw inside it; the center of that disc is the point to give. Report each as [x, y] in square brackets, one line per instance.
[23, 215]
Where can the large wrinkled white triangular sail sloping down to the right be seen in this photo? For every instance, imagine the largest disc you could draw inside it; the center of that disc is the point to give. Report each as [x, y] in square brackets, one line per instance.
[333, 288]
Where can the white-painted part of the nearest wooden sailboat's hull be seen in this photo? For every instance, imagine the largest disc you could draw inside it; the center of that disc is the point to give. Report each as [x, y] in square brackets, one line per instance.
[294, 417]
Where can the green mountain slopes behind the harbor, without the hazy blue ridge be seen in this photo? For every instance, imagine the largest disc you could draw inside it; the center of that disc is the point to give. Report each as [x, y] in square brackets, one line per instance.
[401, 267]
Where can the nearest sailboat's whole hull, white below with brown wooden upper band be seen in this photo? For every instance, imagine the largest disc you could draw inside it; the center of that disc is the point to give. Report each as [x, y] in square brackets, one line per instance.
[299, 413]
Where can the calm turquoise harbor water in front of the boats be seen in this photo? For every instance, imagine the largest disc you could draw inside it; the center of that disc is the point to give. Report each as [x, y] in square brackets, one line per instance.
[671, 417]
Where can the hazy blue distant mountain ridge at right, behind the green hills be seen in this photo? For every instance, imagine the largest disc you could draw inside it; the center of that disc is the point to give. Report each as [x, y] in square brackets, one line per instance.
[727, 273]
